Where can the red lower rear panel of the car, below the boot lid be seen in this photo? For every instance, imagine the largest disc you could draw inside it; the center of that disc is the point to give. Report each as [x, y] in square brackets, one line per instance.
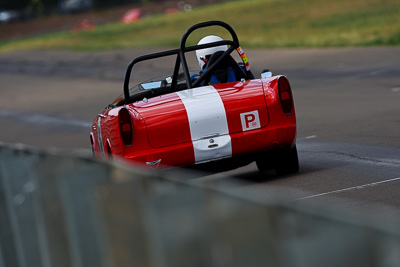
[242, 145]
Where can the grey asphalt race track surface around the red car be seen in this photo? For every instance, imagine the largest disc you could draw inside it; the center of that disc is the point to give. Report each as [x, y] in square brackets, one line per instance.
[347, 105]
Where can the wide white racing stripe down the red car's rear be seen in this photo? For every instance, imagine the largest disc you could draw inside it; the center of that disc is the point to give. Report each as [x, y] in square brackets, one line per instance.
[208, 123]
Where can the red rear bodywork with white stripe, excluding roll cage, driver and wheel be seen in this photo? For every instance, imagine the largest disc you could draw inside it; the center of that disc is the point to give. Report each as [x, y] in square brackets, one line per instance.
[202, 124]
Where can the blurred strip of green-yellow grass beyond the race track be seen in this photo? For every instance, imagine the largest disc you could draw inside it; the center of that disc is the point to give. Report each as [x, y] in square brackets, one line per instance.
[258, 23]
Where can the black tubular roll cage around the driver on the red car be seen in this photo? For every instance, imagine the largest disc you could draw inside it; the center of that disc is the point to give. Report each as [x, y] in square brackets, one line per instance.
[181, 59]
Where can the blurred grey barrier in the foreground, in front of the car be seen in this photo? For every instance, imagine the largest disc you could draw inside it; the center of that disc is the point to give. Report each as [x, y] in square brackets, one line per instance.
[71, 210]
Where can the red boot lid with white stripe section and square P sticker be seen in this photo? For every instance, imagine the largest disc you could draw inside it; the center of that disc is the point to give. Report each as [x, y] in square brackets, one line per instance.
[203, 113]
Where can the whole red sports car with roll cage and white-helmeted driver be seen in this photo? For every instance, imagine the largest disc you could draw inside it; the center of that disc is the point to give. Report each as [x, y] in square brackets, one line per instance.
[220, 116]
